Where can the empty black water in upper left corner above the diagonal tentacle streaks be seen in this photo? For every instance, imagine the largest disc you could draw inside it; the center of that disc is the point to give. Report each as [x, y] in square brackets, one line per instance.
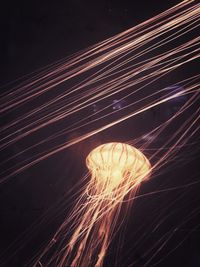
[36, 33]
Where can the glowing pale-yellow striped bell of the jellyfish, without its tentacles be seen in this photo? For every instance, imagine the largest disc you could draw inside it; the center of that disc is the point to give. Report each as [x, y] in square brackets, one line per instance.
[117, 167]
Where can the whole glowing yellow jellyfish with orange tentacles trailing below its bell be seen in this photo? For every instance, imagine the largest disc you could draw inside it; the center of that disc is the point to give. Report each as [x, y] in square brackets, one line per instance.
[115, 169]
